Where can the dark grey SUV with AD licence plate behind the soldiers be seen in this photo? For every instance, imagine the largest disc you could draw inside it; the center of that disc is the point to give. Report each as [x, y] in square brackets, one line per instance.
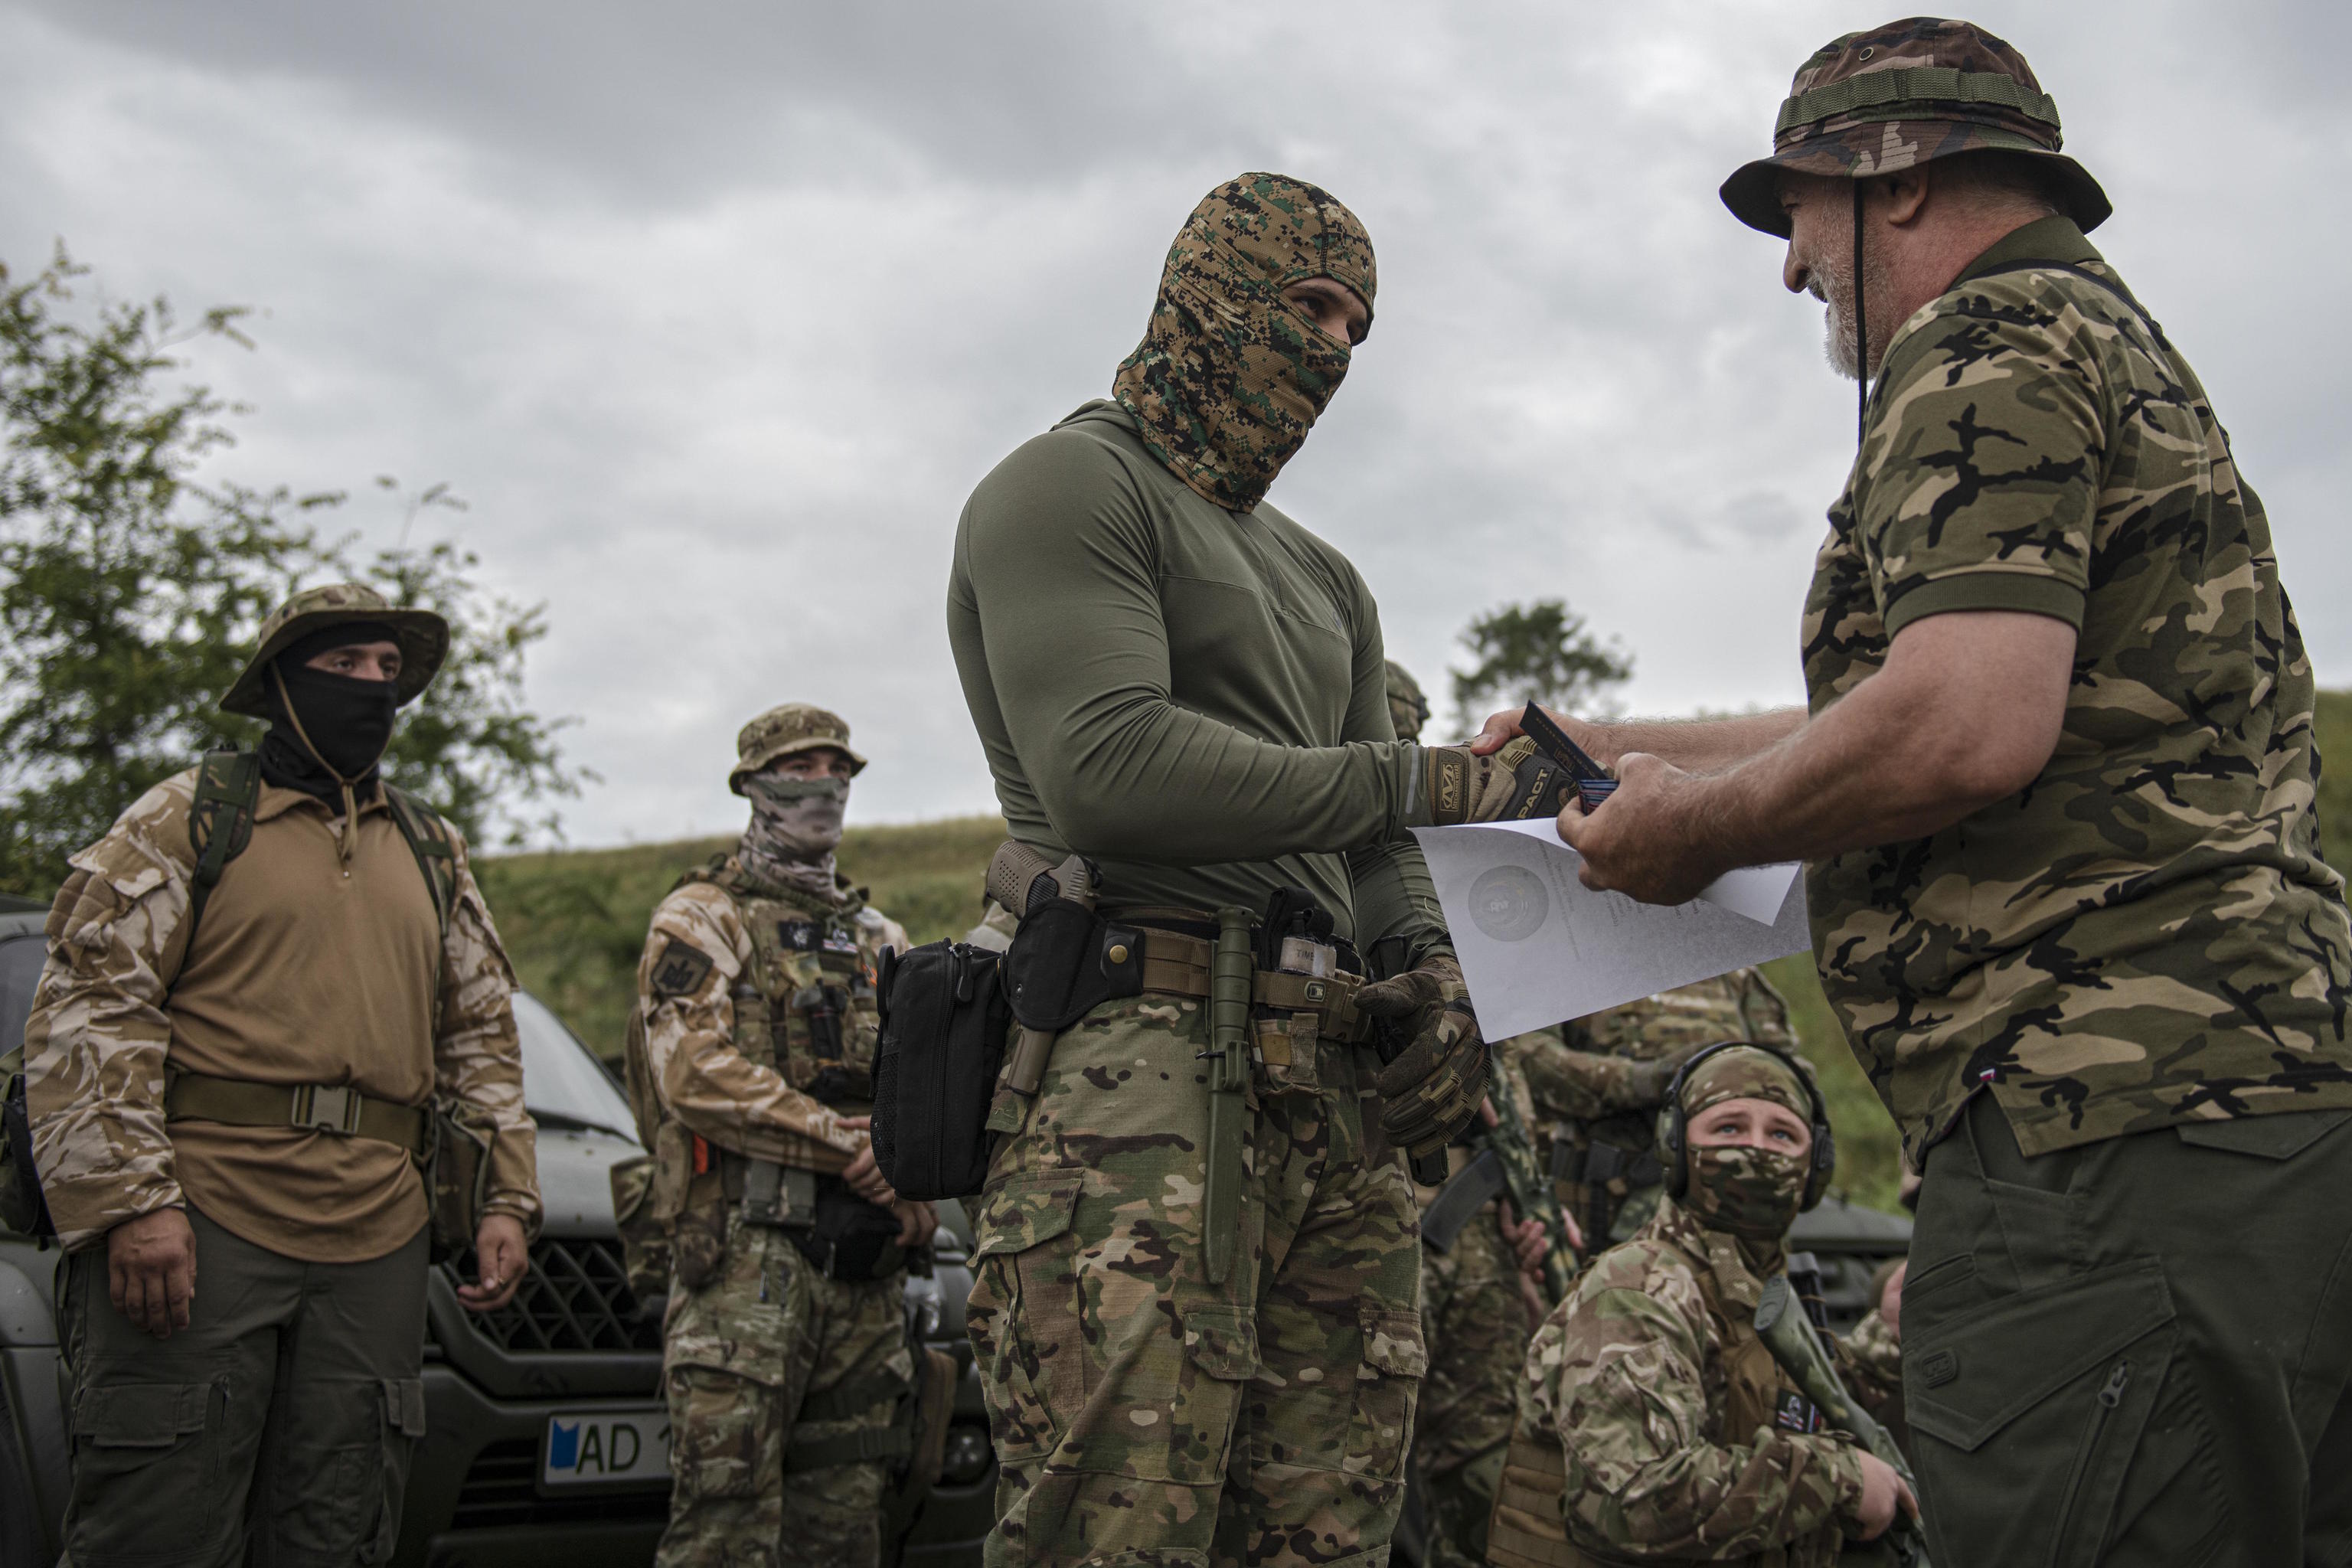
[544, 1428]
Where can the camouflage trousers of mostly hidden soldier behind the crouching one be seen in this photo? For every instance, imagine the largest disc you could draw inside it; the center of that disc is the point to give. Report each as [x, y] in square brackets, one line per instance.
[1478, 1351]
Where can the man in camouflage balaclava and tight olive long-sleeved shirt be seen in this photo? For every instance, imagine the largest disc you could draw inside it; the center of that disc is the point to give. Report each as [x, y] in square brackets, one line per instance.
[1187, 688]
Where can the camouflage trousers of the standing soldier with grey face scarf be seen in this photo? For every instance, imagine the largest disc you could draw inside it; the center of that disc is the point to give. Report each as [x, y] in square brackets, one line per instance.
[775, 1372]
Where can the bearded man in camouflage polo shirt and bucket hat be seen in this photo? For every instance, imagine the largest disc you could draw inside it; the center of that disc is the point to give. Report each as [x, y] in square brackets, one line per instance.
[2064, 866]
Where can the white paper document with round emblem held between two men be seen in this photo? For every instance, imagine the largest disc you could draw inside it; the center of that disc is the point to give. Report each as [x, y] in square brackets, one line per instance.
[1539, 946]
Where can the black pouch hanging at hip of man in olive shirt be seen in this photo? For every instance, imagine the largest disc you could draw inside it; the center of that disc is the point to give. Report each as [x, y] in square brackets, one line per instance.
[944, 1026]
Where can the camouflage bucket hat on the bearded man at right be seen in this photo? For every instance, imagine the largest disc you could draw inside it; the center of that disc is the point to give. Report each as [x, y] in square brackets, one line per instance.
[1899, 98]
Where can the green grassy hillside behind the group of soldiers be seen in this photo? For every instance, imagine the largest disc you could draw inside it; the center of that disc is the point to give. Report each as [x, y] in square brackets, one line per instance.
[575, 925]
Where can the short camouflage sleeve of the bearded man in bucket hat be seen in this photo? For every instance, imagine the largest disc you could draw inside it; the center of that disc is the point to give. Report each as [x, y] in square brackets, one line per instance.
[1979, 483]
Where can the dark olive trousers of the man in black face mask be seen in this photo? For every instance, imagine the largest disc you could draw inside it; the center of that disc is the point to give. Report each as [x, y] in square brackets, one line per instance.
[281, 1416]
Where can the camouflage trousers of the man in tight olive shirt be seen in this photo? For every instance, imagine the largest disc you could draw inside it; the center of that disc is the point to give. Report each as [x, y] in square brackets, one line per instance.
[1147, 1416]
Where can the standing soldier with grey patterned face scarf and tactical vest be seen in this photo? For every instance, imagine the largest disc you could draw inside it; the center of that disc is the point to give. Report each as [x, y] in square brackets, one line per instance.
[751, 1068]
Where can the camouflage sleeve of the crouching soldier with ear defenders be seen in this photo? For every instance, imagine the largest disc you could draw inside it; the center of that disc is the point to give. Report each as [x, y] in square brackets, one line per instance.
[1648, 1470]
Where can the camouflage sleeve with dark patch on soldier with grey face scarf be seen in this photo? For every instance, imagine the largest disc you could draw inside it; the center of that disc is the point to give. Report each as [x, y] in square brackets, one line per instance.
[695, 951]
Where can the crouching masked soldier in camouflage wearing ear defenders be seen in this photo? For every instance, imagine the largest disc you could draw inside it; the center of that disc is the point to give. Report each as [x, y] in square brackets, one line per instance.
[1655, 1421]
